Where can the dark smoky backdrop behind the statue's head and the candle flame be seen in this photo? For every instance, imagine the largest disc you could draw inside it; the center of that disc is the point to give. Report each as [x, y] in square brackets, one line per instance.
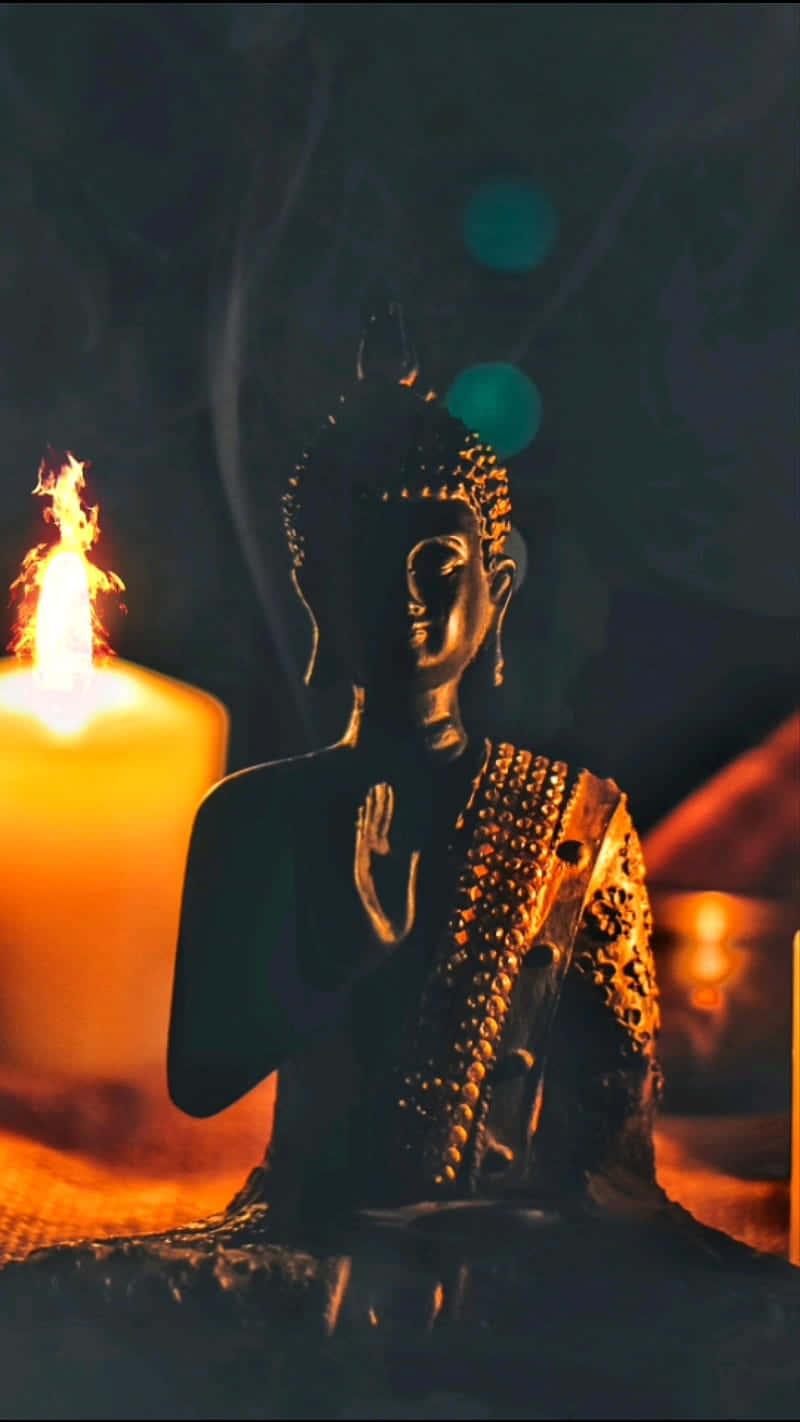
[195, 201]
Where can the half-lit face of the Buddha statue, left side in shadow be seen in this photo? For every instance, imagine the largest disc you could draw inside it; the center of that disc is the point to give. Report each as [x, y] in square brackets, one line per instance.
[426, 602]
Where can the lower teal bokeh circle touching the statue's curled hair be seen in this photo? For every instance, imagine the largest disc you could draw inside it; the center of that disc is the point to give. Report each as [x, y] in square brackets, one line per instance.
[499, 403]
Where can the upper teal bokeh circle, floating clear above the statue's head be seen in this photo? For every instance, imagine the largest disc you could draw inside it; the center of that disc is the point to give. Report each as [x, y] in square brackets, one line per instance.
[509, 225]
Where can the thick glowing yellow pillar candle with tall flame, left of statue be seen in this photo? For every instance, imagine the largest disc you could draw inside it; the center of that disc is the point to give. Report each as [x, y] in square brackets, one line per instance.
[102, 770]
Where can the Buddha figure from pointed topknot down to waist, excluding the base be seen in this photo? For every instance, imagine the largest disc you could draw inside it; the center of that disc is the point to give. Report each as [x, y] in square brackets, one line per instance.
[440, 941]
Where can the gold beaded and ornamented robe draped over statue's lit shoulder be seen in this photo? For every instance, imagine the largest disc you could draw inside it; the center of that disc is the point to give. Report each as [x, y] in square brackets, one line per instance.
[529, 820]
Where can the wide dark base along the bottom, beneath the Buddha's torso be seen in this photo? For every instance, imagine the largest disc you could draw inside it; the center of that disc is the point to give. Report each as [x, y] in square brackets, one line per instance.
[460, 1312]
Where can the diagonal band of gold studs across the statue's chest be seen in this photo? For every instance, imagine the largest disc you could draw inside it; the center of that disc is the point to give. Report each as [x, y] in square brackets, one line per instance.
[498, 911]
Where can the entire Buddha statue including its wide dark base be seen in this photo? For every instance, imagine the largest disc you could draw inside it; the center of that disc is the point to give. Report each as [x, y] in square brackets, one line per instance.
[440, 941]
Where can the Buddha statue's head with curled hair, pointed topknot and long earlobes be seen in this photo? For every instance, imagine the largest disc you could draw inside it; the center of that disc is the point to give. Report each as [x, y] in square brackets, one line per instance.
[397, 523]
